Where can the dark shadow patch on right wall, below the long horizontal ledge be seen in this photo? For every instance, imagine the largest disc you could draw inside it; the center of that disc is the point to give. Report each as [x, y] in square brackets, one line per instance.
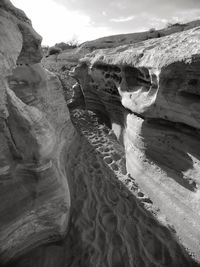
[164, 145]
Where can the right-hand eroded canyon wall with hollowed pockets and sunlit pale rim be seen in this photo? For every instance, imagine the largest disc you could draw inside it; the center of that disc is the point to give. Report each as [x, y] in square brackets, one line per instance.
[149, 94]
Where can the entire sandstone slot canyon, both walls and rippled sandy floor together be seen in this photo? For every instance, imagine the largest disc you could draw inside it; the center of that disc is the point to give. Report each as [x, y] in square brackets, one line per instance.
[115, 182]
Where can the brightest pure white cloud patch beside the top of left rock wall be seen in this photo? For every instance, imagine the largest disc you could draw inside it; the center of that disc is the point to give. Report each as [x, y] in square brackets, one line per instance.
[56, 24]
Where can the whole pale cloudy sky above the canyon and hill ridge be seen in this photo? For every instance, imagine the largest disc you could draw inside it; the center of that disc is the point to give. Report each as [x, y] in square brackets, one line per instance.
[63, 20]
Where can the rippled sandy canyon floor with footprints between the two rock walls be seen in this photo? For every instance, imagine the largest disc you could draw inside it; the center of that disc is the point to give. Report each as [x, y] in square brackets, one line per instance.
[110, 224]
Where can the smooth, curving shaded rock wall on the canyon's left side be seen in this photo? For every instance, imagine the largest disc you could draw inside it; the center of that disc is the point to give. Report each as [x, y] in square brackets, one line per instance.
[34, 122]
